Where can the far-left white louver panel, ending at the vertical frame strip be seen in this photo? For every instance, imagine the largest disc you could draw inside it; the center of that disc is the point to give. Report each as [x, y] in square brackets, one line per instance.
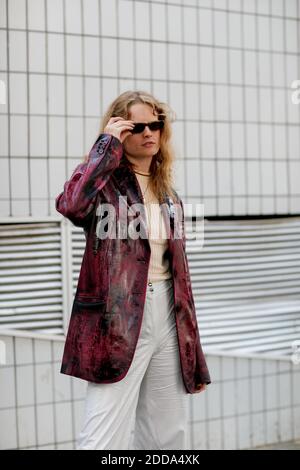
[31, 277]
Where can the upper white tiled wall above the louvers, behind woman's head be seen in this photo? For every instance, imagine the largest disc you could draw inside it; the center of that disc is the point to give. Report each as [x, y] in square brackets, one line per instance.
[226, 67]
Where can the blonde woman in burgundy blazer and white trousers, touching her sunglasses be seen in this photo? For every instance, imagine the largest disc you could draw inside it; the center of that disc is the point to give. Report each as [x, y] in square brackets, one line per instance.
[133, 332]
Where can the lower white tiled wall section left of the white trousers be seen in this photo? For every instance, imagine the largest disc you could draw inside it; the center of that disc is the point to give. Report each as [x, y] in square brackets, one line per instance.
[40, 407]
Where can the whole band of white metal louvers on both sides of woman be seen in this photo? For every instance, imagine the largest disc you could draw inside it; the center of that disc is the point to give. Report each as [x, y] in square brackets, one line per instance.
[245, 279]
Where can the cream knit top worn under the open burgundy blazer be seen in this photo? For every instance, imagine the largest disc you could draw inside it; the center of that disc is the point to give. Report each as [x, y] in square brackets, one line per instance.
[159, 268]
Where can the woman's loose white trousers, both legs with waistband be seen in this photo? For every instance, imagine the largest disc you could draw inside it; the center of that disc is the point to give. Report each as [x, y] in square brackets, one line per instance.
[148, 408]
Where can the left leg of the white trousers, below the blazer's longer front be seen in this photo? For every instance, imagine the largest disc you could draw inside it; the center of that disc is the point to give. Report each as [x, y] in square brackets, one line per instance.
[110, 408]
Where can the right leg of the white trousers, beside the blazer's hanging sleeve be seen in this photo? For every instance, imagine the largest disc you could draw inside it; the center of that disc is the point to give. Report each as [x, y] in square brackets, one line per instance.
[162, 410]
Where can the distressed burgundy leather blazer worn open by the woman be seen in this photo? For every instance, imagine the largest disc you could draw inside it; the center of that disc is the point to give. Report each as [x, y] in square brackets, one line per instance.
[109, 301]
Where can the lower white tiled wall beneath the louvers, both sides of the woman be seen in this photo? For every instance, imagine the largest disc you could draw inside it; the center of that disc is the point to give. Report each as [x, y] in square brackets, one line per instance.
[252, 401]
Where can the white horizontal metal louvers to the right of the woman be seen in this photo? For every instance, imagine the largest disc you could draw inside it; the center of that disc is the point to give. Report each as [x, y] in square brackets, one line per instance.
[246, 284]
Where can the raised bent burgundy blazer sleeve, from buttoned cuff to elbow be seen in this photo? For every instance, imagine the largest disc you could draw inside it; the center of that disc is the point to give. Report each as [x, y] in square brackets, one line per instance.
[77, 200]
